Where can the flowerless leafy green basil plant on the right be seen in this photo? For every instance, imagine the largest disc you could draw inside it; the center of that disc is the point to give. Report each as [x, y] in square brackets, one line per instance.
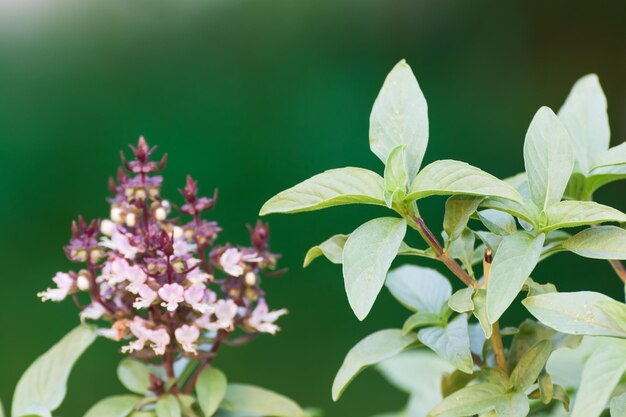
[451, 355]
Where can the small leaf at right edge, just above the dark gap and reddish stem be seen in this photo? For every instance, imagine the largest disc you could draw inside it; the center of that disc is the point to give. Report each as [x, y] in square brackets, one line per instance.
[603, 242]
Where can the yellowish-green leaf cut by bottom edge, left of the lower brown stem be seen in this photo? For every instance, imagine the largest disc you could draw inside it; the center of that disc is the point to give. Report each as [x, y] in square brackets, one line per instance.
[468, 401]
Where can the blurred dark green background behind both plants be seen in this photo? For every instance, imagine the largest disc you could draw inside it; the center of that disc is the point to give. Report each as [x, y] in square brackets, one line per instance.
[252, 96]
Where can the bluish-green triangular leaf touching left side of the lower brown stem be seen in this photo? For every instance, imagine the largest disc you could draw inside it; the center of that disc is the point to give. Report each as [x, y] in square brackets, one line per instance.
[450, 343]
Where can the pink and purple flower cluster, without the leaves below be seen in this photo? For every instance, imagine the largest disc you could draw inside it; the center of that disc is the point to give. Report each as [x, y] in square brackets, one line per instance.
[158, 281]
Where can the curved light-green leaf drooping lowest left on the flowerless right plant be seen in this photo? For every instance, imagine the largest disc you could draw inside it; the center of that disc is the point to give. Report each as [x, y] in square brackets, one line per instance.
[375, 348]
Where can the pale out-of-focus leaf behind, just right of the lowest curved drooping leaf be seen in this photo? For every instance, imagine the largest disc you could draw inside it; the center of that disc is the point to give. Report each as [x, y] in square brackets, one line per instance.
[418, 370]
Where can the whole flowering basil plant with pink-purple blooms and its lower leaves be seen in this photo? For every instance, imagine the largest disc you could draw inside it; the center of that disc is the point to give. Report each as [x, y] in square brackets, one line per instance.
[158, 283]
